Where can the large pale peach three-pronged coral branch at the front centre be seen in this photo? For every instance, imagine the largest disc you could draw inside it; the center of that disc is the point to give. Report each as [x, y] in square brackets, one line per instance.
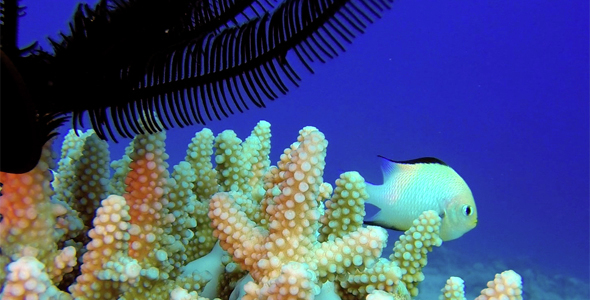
[290, 243]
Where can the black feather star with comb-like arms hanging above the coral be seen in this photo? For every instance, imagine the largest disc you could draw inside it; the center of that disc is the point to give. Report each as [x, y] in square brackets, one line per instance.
[141, 66]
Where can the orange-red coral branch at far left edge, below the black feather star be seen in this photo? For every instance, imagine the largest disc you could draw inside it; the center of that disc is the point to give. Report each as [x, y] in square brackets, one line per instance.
[29, 220]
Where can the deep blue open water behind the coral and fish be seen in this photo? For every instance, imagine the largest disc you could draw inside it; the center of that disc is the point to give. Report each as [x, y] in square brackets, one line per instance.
[499, 90]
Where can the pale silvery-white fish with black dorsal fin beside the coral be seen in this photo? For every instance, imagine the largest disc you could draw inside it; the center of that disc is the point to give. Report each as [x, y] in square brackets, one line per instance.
[413, 186]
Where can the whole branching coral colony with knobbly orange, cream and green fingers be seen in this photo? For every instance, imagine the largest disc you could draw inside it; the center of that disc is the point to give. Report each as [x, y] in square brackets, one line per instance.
[239, 228]
